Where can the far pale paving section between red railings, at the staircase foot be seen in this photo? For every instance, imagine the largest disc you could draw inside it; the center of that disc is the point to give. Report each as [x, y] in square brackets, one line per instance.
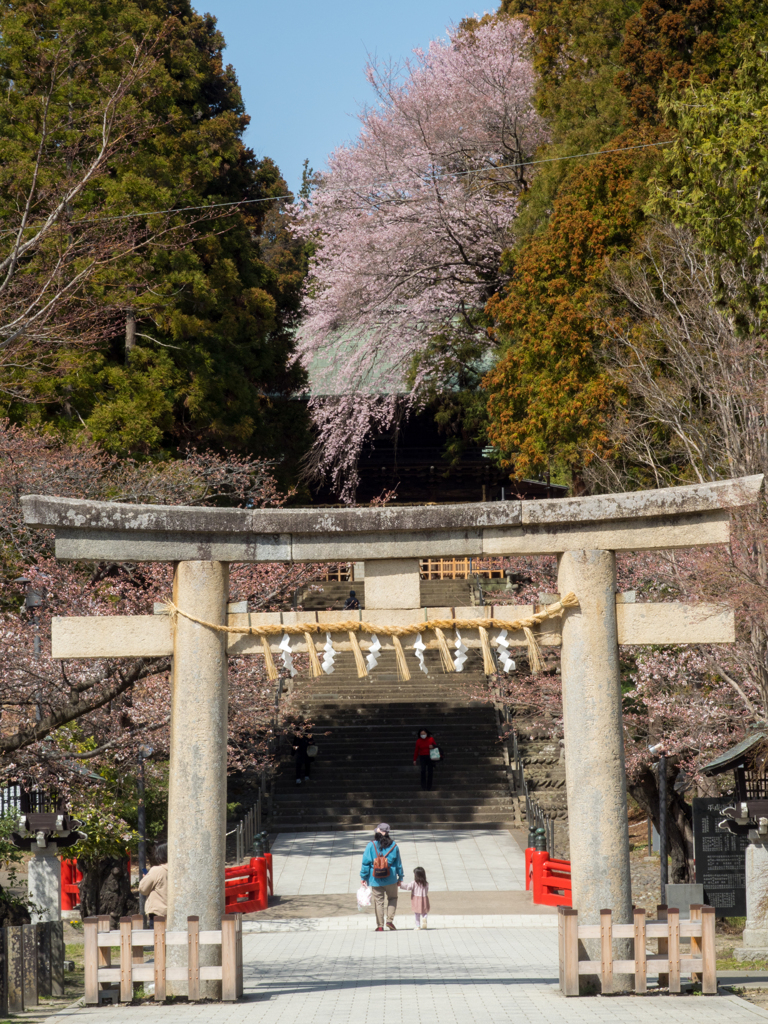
[314, 864]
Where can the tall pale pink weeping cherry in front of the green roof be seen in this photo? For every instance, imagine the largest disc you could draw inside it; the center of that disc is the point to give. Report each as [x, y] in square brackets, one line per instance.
[409, 226]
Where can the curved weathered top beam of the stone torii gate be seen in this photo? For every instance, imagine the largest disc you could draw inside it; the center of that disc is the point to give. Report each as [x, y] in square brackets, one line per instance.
[671, 518]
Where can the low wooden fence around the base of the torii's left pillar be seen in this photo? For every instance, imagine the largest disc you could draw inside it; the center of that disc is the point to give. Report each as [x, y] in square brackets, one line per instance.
[132, 971]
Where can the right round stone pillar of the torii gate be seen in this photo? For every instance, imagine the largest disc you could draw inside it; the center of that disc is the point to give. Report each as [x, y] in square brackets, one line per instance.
[595, 777]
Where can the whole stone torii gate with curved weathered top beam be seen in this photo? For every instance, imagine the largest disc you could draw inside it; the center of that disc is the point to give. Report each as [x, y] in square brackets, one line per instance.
[584, 533]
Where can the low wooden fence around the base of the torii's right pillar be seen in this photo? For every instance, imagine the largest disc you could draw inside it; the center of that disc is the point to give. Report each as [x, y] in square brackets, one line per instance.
[670, 963]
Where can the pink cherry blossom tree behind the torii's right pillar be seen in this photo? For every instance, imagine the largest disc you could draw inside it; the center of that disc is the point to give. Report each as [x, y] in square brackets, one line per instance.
[697, 701]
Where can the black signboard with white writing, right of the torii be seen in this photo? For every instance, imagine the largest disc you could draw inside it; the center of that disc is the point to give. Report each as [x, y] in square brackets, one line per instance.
[720, 859]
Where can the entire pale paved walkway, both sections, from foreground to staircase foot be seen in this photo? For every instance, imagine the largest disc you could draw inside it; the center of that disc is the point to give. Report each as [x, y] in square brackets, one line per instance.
[470, 969]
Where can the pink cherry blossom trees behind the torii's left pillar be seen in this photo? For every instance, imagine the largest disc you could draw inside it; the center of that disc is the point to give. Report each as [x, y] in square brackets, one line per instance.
[58, 716]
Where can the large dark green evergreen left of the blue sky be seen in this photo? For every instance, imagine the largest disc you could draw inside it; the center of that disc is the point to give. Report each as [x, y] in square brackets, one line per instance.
[194, 317]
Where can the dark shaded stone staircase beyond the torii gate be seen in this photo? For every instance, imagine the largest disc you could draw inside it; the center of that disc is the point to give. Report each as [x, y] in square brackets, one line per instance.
[366, 732]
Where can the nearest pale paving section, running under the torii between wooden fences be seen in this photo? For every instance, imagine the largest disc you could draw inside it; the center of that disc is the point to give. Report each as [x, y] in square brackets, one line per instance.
[483, 976]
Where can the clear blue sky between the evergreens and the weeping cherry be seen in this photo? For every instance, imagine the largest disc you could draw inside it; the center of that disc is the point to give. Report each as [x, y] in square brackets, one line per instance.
[301, 65]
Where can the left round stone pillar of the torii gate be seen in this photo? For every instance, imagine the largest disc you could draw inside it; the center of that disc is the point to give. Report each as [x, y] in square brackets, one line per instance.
[197, 784]
